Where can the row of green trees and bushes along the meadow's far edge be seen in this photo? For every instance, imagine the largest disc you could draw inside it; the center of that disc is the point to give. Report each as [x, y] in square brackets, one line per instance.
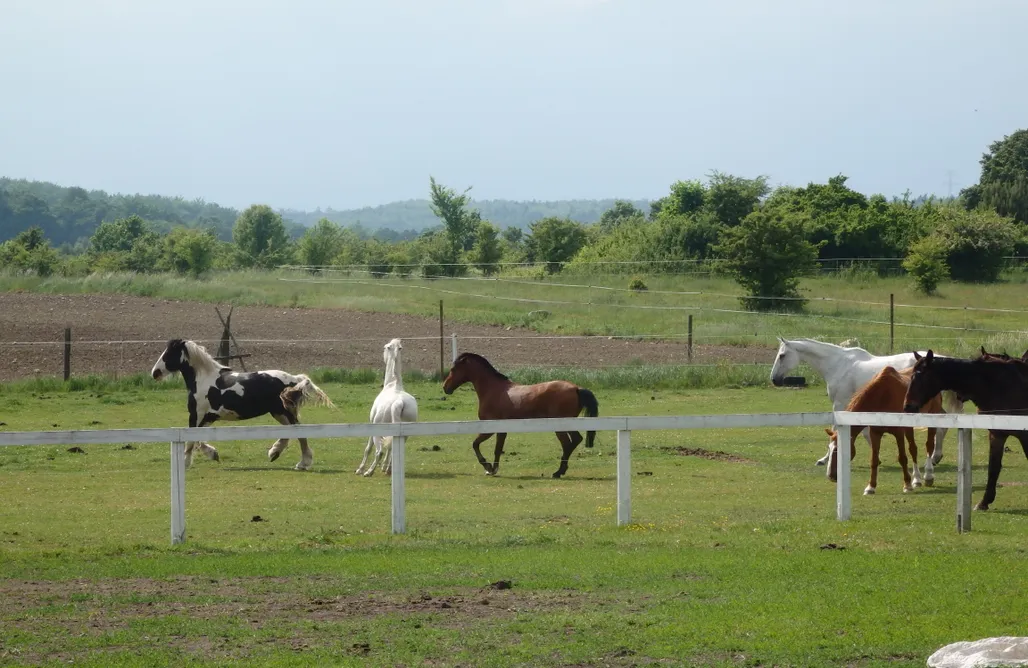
[767, 239]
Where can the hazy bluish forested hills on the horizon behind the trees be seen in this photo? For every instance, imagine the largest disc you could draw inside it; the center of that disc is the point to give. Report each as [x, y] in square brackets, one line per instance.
[69, 216]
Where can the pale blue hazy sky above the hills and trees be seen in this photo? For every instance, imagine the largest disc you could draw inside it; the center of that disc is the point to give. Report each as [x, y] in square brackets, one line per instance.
[344, 104]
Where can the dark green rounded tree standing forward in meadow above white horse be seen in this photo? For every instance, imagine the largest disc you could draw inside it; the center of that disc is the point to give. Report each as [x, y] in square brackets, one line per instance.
[768, 254]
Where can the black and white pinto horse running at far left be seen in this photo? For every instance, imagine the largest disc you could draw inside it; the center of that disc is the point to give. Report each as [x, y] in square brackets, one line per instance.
[218, 393]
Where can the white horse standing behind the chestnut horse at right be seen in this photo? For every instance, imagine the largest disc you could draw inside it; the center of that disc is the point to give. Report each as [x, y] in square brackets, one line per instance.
[848, 369]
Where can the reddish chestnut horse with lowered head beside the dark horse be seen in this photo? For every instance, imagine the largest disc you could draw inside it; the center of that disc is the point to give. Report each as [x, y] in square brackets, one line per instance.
[887, 394]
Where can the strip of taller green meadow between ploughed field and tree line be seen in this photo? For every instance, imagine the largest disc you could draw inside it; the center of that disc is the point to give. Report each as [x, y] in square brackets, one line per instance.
[585, 305]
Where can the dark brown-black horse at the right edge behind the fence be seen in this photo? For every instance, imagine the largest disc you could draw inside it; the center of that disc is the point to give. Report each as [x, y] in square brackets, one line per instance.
[998, 387]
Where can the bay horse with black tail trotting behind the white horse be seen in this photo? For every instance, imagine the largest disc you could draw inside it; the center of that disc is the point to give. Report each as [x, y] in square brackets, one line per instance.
[501, 398]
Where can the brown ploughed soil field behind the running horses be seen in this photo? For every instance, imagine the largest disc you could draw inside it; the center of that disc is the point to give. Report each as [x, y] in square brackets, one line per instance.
[122, 336]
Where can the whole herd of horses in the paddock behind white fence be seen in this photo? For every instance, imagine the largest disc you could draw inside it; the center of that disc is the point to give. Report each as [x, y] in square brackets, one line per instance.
[857, 381]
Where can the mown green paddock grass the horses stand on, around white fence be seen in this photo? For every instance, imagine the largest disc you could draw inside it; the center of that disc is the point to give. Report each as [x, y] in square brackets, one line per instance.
[728, 562]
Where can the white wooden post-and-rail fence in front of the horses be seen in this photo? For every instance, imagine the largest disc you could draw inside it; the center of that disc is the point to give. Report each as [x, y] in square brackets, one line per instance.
[623, 426]
